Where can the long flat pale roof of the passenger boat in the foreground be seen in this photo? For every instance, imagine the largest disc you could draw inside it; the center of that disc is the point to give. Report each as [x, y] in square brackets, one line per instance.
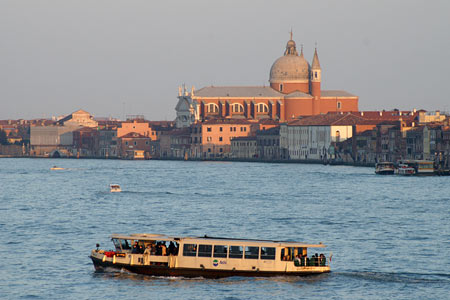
[214, 240]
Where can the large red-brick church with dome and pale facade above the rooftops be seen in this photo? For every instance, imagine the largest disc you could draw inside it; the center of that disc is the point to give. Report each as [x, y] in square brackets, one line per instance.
[294, 91]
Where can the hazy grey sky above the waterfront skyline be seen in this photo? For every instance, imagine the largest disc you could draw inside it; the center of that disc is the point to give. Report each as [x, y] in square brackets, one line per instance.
[112, 58]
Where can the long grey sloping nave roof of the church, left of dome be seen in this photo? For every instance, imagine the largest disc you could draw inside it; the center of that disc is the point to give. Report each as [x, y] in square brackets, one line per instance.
[237, 91]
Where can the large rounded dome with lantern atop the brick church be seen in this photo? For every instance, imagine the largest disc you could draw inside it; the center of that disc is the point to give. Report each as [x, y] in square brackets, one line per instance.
[291, 67]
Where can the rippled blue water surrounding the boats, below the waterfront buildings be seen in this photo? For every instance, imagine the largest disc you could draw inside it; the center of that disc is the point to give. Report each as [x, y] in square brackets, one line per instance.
[389, 235]
